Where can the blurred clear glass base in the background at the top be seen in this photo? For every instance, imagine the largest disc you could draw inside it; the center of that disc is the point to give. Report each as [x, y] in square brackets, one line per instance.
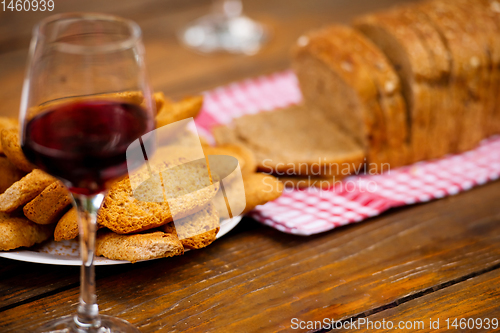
[217, 32]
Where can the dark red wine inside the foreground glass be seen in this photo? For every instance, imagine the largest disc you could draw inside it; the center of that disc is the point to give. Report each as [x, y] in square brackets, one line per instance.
[85, 143]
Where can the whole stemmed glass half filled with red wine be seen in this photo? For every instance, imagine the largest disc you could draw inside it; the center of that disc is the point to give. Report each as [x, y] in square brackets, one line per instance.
[85, 100]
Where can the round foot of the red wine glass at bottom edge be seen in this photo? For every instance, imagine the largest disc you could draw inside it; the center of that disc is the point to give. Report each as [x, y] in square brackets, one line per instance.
[67, 325]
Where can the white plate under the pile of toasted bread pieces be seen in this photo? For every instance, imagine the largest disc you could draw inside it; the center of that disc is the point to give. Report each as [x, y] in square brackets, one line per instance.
[67, 253]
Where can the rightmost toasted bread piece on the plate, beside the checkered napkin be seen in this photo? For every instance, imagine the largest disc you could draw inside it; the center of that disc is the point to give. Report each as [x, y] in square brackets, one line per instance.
[261, 188]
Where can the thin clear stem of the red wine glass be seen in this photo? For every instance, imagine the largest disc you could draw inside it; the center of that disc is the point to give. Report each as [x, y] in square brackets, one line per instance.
[87, 317]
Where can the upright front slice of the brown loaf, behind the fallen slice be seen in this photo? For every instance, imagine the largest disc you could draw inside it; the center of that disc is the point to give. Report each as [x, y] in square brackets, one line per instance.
[336, 84]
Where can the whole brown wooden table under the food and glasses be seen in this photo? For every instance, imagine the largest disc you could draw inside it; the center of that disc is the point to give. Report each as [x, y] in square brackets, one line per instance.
[435, 260]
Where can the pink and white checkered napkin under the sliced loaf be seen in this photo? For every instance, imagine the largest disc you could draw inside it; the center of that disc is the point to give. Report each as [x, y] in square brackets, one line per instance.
[310, 211]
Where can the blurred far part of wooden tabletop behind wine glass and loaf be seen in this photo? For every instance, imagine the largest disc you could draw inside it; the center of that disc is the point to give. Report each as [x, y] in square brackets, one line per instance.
[173, 68]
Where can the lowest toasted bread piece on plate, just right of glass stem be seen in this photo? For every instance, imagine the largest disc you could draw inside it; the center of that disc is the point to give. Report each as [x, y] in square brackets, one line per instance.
[144, 246]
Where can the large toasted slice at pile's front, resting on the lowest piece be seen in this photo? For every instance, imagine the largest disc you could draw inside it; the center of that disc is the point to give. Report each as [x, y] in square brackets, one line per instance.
[123, 213]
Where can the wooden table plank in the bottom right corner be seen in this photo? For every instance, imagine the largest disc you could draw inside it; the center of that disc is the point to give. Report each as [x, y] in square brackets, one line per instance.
[475, 298]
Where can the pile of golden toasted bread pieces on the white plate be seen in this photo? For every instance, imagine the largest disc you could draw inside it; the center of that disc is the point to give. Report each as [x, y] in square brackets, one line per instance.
[35, 206]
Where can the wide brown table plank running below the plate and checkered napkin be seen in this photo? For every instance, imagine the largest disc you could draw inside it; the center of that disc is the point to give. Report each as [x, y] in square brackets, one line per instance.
[260, 279]
